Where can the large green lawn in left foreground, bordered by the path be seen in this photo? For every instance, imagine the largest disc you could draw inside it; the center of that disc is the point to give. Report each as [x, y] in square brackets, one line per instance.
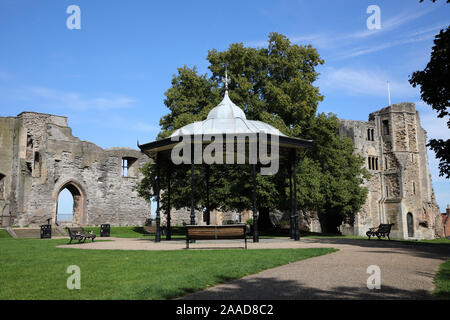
[36, 269]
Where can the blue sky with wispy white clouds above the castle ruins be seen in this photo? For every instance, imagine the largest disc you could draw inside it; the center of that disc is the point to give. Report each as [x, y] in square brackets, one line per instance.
[110, 76]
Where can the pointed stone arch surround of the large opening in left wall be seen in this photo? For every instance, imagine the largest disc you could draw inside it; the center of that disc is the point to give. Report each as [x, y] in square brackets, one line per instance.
[79, 202]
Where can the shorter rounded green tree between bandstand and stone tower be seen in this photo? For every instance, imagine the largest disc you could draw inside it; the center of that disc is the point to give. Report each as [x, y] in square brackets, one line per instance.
[341, 194]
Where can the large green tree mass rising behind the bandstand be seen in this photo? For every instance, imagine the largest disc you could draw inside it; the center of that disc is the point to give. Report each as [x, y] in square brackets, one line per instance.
[274, 85]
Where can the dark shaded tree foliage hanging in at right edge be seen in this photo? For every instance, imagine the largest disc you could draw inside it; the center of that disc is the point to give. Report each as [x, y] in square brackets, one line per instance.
[435, 90]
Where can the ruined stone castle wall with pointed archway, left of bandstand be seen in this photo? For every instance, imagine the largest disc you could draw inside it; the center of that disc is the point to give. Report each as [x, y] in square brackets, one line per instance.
[39, 158]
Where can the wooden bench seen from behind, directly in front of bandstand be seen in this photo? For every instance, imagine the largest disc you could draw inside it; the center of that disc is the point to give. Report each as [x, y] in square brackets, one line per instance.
[232, 231]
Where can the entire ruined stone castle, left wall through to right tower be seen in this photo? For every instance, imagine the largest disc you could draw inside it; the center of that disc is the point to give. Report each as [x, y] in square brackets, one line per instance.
[39, 158]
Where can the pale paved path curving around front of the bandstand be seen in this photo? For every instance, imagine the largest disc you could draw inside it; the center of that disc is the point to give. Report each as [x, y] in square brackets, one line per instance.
[407, 270]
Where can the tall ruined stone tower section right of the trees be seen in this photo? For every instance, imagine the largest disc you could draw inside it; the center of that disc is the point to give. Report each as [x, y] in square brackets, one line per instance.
[393, 145]
